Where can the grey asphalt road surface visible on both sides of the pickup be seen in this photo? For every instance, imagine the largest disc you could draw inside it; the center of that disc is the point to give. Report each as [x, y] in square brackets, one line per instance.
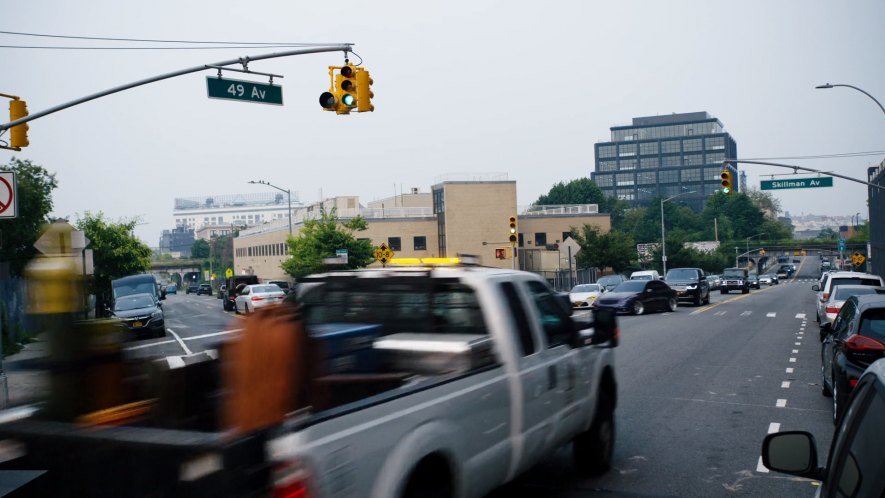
[698, 390]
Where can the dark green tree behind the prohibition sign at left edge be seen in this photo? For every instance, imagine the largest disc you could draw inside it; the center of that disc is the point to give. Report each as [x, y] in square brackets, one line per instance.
[17, 236]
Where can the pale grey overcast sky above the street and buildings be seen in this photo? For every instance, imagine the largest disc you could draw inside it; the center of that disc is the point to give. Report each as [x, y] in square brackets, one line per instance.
[524, 88]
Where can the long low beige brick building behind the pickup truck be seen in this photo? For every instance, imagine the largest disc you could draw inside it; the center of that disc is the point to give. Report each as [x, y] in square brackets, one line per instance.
[456, 217]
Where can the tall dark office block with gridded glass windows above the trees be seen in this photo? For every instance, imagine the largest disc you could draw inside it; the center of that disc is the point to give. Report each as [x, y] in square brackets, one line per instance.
[662, 156]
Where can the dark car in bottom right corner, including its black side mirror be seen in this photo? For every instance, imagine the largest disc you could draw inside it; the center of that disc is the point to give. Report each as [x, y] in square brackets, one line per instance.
[854, 465]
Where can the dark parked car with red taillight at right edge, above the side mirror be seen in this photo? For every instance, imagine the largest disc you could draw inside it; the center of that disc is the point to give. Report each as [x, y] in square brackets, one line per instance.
[854, 341]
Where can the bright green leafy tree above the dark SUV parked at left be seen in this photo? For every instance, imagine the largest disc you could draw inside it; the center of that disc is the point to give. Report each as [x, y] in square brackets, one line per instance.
[116, 252]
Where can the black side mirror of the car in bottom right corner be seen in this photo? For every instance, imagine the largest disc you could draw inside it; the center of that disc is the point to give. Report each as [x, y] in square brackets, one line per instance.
[792, 452]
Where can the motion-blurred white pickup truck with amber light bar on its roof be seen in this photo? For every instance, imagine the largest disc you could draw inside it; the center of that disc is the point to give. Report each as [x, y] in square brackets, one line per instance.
[496, 376]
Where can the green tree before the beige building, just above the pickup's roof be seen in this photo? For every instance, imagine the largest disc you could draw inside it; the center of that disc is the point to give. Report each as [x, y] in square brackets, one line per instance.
[320, 238]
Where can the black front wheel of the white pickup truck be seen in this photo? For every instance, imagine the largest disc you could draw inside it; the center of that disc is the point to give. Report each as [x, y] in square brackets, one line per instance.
[594, 450]
